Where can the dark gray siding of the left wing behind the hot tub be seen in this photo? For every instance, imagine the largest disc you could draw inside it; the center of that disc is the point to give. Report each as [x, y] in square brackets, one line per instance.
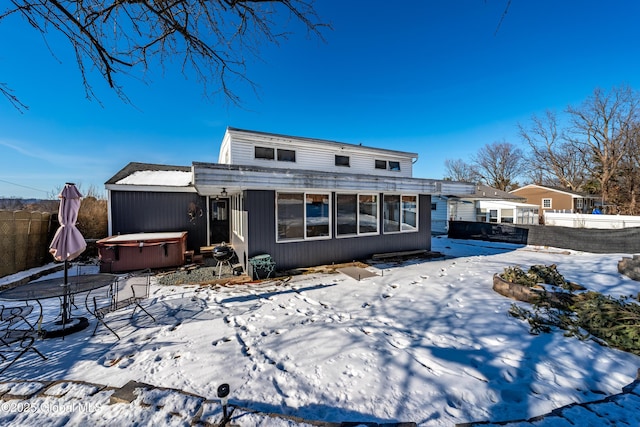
[146, 212]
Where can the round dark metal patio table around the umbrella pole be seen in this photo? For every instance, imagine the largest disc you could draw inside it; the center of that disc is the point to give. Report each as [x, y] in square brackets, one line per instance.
[56, 288]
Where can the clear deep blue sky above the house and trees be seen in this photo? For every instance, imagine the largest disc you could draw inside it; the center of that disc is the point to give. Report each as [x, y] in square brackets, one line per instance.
[431, 77]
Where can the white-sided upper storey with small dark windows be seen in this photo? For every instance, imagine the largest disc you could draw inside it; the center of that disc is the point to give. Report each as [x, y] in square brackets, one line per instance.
[242, 147]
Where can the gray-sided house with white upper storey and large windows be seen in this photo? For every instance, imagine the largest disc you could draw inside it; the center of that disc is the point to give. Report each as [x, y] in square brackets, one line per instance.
[303, 201]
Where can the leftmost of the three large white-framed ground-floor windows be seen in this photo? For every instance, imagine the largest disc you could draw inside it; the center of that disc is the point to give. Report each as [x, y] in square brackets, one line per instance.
[302, 216]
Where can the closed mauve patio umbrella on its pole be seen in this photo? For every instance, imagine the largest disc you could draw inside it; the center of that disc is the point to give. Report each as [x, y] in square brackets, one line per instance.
[68, 242]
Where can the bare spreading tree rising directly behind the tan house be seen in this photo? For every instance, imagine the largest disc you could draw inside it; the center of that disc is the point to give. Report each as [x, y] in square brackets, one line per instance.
[553, 158]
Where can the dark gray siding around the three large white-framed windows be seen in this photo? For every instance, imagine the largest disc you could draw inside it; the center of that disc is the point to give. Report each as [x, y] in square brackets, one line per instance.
[262, 228]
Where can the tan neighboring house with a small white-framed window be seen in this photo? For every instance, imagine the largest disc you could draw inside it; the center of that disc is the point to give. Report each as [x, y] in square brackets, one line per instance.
[556, 199]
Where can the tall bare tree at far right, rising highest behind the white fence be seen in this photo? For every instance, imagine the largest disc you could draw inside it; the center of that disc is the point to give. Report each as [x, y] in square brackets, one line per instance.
[603, 130]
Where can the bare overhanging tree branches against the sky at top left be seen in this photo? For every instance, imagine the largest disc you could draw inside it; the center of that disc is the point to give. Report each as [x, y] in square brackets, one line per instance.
[210, 38]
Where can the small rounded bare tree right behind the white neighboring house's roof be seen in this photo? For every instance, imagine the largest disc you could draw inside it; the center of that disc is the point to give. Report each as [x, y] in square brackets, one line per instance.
[499, 164]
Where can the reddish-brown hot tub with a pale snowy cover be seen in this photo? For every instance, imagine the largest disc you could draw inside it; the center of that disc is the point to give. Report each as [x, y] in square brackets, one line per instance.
[127, 252]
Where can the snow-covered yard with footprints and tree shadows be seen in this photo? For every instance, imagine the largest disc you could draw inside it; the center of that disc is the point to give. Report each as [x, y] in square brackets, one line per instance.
[426, 341]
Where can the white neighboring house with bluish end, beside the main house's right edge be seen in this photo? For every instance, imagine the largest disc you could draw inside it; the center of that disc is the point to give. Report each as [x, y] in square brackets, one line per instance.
[486, 204]
